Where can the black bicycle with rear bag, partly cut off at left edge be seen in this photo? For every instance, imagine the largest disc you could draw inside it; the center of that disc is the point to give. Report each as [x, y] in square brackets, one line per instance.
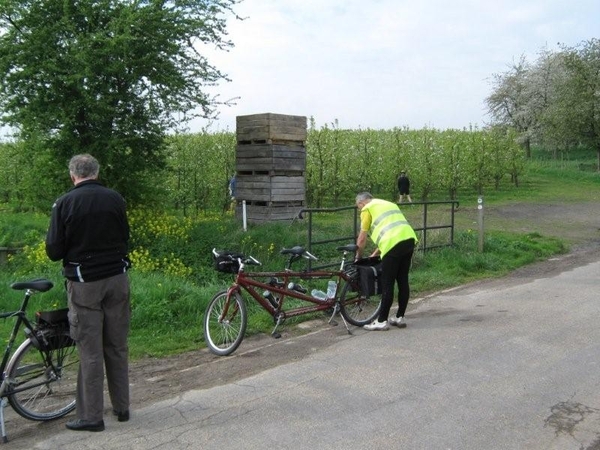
[39, 380]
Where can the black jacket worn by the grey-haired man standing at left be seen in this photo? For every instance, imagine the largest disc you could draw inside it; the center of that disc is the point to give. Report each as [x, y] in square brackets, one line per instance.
[89, 232]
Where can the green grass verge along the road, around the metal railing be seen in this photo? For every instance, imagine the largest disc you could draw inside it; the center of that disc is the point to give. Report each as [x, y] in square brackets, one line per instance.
[168, 310]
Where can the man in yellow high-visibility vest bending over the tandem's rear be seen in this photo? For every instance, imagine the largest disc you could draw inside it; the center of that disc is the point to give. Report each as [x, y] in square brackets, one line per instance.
[395, 240]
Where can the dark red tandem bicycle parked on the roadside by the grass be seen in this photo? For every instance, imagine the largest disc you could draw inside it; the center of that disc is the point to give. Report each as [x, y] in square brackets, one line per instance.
[226, 315]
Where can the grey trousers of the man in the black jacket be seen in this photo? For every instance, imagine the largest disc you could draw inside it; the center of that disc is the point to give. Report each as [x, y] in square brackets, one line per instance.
[99, 315]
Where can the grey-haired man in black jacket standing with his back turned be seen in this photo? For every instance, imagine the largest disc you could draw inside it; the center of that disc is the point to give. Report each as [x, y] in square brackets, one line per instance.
[89, 232]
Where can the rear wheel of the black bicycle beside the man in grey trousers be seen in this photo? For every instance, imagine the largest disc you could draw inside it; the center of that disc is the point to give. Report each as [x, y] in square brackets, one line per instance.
[38, 390]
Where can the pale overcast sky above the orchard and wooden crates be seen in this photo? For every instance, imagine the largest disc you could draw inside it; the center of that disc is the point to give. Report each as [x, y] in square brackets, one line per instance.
[386, 63]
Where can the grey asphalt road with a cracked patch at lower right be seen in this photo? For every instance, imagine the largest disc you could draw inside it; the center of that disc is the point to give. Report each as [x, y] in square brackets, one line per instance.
[504, 364]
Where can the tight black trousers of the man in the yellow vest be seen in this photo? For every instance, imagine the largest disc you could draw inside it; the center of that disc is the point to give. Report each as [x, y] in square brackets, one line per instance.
[395, 267]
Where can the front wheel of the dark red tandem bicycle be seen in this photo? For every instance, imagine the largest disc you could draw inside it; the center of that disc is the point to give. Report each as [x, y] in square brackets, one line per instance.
[224, 336]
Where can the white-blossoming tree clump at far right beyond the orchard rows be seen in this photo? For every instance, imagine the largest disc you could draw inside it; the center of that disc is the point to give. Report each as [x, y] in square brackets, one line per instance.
[553, 102]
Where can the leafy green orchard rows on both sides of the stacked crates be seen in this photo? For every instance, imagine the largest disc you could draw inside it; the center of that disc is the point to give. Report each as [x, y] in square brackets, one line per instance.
[339, 164]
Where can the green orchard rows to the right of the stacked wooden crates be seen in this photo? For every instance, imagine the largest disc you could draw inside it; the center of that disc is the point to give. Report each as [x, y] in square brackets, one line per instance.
[341, 163]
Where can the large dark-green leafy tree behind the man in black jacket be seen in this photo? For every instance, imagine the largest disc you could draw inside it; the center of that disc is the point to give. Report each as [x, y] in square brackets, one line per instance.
[108, 77]
